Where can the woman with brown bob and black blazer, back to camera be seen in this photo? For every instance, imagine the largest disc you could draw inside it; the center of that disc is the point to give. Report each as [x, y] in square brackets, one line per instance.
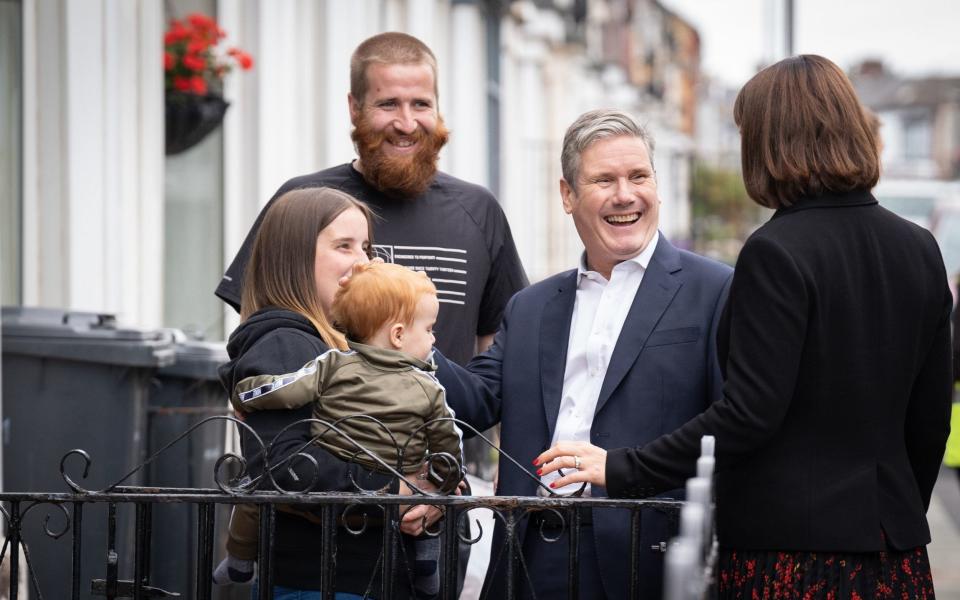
[835, 350]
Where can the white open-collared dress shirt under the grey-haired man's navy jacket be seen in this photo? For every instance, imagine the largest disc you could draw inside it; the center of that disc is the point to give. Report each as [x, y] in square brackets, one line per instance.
[599, 312]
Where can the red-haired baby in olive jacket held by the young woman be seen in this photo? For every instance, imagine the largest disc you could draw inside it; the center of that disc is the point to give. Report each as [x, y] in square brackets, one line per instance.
[387, 312]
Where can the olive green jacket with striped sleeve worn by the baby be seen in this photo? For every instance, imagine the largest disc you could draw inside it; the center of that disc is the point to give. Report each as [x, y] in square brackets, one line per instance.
[353, 390]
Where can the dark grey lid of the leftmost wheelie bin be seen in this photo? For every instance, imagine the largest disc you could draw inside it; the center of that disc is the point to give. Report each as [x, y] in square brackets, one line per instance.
[82, 336]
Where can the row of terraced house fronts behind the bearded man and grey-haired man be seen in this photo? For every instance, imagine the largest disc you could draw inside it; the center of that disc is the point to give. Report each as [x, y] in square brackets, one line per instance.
[96, 217]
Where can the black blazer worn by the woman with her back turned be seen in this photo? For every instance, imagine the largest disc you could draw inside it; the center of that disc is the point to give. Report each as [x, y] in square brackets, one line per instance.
[835, 348]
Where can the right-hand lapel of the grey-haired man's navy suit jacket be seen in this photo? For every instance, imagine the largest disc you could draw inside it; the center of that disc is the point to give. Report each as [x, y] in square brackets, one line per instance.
[660, 284]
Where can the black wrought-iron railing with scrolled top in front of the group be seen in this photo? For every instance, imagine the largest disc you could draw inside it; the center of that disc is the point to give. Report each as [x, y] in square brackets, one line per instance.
[125, 520]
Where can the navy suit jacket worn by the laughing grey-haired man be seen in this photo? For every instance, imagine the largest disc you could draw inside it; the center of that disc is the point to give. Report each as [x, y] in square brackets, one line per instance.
[662, 373]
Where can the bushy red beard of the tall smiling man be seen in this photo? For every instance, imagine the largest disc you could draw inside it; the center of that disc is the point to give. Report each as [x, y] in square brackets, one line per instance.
[400, 176]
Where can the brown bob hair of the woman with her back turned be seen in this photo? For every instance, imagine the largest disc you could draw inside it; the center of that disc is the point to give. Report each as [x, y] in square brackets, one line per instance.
[803, 132]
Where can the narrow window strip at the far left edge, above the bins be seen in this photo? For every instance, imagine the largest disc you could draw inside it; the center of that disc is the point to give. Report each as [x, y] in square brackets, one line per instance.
[11, 148]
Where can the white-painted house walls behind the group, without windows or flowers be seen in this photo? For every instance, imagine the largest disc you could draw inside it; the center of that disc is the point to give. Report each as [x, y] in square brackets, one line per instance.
[93, 129]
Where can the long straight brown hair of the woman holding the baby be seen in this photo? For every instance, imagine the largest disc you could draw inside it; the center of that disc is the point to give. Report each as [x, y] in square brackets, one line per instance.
[281, 268]
